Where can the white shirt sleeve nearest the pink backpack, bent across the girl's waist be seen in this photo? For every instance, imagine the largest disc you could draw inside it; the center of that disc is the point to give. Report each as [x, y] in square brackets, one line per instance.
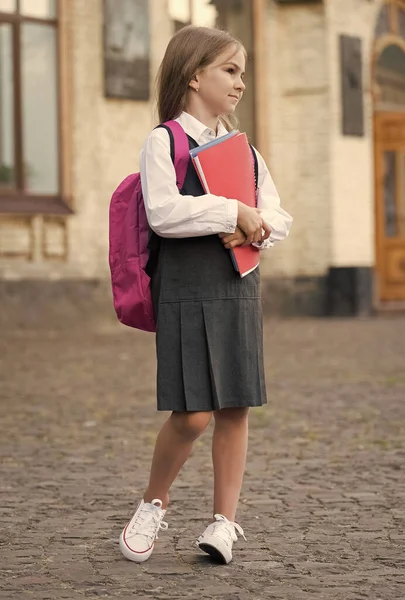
[171, 214]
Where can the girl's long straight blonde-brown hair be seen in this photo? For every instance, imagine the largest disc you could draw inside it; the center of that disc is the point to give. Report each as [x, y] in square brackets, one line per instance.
[190, 50]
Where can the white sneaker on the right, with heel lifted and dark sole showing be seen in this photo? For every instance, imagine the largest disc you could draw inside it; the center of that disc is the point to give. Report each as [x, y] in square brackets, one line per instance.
[217, 540]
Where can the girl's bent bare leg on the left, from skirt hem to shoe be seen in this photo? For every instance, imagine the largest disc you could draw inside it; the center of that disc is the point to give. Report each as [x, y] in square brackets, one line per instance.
[173, 446]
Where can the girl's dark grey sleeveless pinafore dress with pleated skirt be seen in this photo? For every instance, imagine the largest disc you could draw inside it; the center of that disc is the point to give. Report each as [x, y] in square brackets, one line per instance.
[209, 338]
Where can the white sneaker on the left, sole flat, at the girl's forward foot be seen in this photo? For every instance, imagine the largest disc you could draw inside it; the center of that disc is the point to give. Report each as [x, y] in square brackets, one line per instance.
[138, 538]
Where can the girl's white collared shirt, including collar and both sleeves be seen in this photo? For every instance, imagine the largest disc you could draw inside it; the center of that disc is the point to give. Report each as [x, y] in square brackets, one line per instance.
[172, 215]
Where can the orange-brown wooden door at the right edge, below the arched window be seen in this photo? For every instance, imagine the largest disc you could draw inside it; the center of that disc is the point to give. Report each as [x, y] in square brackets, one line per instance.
[390, 204]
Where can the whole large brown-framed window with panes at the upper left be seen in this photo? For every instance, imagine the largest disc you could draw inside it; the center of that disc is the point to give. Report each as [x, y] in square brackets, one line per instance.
[29, 111]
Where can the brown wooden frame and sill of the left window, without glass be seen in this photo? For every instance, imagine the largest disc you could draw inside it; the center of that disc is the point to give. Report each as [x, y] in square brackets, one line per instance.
[16, 200]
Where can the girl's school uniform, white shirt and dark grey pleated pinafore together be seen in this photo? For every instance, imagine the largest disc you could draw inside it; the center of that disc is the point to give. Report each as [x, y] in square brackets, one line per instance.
[209, 338]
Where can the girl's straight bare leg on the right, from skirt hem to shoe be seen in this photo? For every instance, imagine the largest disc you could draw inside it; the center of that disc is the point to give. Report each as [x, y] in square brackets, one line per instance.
[229, 448]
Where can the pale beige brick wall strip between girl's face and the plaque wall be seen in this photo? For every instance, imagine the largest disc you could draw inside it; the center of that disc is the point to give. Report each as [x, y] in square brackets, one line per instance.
[299, 142]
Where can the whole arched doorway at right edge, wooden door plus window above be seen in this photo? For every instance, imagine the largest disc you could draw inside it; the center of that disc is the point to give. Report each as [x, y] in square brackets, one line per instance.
[389, 150]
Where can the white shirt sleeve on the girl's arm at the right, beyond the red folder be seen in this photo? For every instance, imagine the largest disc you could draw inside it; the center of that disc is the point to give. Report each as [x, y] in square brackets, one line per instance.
[269, 203]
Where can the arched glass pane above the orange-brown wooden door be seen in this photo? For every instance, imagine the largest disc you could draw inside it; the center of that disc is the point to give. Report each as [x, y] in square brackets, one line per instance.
[390, 76]
